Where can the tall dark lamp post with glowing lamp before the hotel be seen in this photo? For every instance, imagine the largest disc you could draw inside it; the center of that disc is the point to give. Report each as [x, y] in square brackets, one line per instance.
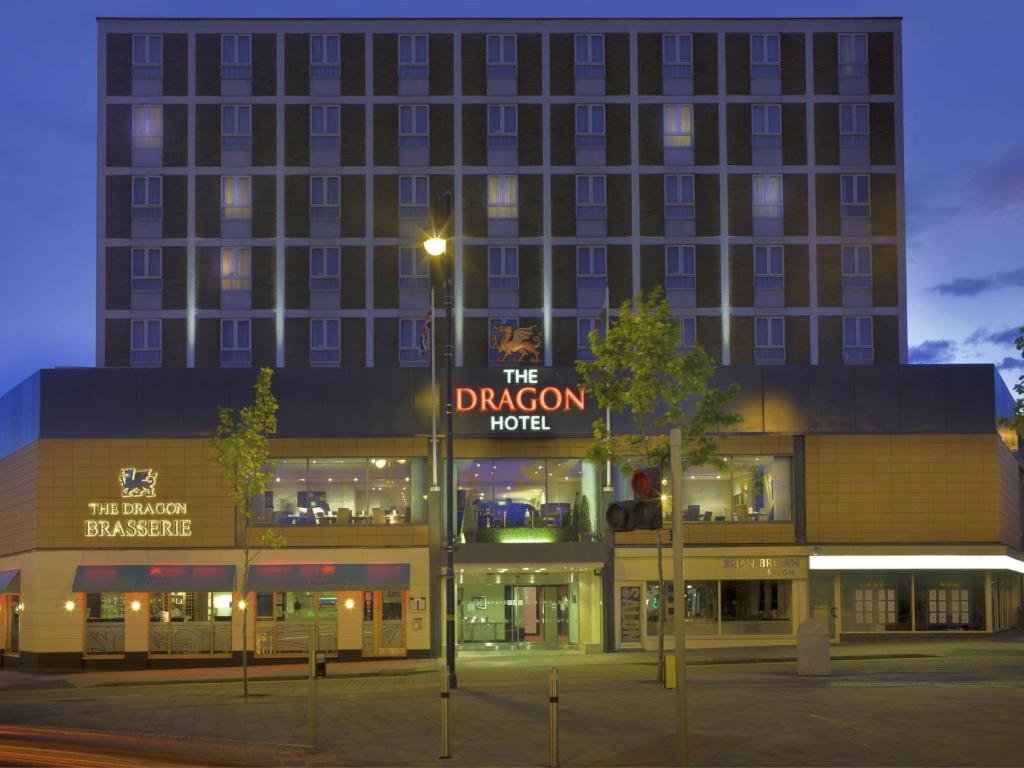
[437, 246]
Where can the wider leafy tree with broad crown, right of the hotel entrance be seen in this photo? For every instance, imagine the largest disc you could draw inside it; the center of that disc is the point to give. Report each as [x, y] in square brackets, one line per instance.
[639, 371]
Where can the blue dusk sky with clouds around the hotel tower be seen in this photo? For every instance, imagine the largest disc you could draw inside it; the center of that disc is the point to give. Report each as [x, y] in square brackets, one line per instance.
[964, 112]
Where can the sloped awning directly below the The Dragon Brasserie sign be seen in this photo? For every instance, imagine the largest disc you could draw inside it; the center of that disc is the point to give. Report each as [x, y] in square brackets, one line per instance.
[154, 579]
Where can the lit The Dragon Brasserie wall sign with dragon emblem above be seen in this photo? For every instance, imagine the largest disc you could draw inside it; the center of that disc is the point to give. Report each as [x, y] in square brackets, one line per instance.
[136, 519]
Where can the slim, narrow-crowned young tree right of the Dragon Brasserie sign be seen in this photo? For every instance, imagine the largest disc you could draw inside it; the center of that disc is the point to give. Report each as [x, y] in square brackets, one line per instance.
[240, 448]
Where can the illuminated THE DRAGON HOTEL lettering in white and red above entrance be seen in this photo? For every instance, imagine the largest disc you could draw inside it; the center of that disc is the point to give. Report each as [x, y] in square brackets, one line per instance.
[523, 405]
